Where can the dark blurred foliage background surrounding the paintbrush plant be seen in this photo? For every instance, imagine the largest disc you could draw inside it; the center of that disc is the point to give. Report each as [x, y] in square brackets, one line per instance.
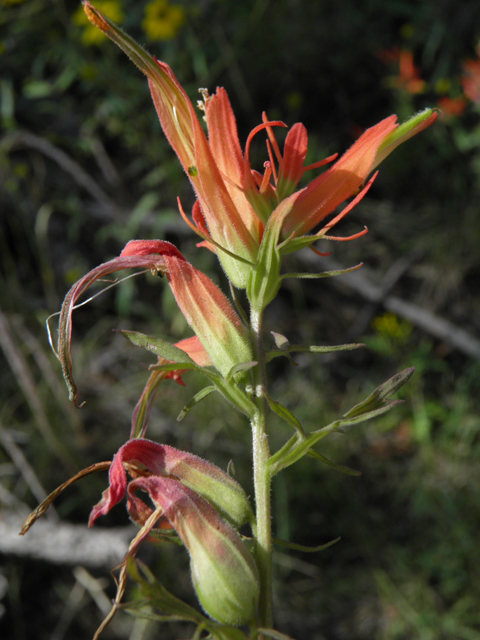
[84, 168]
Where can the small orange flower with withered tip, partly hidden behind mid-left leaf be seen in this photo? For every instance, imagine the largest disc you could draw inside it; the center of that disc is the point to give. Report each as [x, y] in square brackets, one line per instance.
[194, 348]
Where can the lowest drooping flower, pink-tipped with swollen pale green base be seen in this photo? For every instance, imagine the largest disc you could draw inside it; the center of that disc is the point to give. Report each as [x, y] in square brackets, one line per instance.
[224, 572]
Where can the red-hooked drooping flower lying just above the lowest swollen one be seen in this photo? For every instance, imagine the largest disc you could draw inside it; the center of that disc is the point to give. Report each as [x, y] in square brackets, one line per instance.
[208, 480]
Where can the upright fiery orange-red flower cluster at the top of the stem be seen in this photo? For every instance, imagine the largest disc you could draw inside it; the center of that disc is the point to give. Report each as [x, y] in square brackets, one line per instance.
[234, 203]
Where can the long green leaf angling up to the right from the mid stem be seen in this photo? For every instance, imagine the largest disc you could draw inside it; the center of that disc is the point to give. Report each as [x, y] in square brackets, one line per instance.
[375, 405]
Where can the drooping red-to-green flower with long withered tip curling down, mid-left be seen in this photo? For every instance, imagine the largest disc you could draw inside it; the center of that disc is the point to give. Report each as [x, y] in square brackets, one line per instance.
[204, 306]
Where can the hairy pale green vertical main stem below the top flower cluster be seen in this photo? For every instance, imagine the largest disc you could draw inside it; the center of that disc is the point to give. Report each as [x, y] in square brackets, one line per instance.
[262, 479]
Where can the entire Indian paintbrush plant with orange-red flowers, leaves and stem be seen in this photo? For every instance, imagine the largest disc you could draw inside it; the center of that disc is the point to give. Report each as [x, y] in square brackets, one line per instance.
[250, 220]
